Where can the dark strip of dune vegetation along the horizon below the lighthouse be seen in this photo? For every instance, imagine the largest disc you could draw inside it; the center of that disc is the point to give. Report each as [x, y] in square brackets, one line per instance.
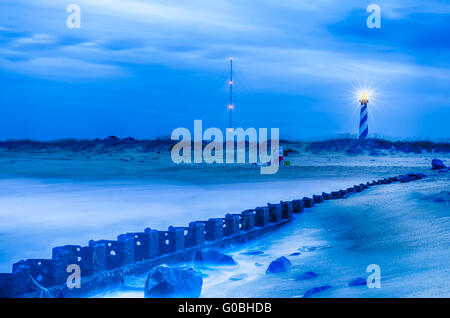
[348, 146]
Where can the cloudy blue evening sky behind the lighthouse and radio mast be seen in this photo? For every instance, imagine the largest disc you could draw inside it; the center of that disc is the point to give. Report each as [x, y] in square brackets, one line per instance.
[143, 68]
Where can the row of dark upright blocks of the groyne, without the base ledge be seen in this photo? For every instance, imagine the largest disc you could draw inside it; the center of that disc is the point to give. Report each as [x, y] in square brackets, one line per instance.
[130, 248]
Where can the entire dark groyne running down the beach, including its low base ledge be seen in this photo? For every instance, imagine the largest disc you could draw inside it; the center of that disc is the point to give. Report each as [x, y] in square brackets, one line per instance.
[103, 263]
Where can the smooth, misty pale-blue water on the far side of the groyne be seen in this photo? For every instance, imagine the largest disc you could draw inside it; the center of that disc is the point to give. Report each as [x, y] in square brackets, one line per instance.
[38, 214]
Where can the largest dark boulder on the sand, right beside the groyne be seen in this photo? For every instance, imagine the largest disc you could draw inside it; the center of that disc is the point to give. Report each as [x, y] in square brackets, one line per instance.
[173, 282]
